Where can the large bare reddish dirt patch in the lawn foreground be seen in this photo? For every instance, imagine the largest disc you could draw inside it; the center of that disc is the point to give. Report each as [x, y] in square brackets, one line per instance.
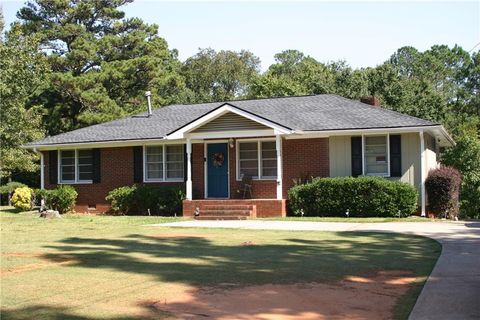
[370, 297]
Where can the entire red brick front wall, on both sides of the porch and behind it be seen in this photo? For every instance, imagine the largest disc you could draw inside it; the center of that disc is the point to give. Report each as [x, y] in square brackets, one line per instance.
[300, 157]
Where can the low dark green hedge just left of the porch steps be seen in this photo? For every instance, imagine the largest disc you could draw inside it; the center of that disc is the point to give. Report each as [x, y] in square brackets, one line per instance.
[139, 200]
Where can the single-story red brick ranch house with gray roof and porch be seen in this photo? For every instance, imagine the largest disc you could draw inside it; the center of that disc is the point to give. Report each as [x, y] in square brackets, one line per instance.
[208, 148]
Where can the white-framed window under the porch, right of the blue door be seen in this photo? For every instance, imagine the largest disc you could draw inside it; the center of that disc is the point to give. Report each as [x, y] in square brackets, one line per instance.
[257, 159]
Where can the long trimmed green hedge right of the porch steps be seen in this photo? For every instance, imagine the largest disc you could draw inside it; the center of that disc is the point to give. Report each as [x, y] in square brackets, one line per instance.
[360, 197]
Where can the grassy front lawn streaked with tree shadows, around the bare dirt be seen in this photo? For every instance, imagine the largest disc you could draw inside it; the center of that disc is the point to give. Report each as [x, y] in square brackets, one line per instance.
[100, 267]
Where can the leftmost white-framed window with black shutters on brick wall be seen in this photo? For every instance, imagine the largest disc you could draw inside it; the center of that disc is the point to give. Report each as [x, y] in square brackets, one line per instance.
[76, 166]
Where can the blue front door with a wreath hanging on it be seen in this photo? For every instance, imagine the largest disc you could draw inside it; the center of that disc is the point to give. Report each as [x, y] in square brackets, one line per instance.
[217, 170]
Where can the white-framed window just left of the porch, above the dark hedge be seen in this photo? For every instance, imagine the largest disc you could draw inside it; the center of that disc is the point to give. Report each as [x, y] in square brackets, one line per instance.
[164, 163]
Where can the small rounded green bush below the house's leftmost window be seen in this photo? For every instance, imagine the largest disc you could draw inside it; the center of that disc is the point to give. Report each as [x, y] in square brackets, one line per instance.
[62, 198]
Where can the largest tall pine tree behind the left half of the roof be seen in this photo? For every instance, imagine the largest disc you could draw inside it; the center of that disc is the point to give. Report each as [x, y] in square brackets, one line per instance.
[101, 62]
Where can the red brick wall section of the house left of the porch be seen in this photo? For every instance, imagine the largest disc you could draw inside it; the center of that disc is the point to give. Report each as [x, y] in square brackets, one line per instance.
[116, 171]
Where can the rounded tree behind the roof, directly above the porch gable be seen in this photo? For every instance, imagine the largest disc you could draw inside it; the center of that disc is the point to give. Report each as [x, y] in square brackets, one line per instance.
[220, 76]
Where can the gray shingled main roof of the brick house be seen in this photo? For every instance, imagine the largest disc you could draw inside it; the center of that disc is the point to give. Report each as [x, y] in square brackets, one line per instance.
[306, 113]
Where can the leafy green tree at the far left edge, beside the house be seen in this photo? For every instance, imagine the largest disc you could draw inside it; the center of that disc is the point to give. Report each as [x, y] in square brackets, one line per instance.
[22, 71]
